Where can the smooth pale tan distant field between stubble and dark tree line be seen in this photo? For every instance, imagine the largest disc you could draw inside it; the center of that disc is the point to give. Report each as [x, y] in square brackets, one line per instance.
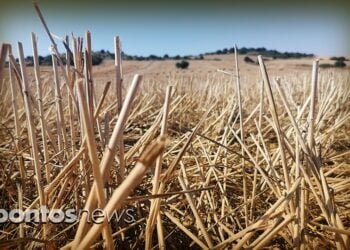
[211, 64]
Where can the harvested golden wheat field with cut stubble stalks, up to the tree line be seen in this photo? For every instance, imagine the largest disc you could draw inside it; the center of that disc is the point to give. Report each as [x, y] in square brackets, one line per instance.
[134, 155]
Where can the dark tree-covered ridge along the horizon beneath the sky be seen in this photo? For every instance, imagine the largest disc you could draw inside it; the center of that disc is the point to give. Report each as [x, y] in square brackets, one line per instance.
[99, 56]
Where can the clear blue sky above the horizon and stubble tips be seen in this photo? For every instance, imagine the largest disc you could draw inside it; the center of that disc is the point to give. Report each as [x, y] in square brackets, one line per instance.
[183, 28]
